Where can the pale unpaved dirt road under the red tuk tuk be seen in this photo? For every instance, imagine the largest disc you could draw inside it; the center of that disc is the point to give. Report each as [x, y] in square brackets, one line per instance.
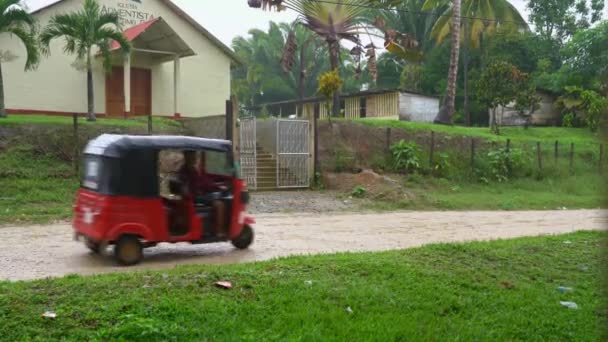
[48, 251]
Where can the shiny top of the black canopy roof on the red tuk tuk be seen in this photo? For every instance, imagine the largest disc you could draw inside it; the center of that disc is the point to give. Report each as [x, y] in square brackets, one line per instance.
[117, 146]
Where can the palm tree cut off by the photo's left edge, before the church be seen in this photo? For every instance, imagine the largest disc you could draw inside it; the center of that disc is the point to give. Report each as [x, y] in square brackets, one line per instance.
[15, 20]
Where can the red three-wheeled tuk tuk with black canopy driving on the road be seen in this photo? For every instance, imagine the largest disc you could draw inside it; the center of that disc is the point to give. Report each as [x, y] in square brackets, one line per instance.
[119, 202]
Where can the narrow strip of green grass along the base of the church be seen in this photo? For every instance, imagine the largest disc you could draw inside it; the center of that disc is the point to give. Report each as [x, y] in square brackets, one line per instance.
[62, 120]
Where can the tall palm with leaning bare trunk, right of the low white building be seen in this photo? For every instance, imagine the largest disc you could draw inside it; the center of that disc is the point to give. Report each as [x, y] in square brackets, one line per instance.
[497, 13]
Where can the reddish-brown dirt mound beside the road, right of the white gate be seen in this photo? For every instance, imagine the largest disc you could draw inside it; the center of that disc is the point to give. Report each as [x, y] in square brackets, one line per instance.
[375, 185]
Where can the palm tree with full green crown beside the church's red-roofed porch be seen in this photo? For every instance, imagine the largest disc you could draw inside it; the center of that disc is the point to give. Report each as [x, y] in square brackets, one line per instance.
[84, 31]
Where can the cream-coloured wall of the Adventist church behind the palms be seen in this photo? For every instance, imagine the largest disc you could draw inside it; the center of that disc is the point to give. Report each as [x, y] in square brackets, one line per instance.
[58, 86]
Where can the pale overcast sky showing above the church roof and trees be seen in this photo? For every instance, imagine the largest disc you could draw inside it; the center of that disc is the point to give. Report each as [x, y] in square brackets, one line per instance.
[227, 19]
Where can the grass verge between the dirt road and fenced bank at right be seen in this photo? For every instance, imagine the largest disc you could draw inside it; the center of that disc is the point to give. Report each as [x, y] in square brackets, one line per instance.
[572, 192]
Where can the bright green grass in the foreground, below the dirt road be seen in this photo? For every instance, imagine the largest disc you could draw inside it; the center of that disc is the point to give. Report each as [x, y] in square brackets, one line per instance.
[505, 290]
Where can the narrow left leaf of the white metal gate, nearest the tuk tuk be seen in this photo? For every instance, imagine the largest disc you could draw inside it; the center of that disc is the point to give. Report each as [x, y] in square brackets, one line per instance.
[248, 152]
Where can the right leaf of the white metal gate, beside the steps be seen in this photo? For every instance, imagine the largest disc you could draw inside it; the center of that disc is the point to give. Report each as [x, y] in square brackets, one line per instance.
[293, 153]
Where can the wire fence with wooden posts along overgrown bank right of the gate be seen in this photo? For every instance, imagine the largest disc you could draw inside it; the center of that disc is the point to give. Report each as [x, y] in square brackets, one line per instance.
[348, 146]
